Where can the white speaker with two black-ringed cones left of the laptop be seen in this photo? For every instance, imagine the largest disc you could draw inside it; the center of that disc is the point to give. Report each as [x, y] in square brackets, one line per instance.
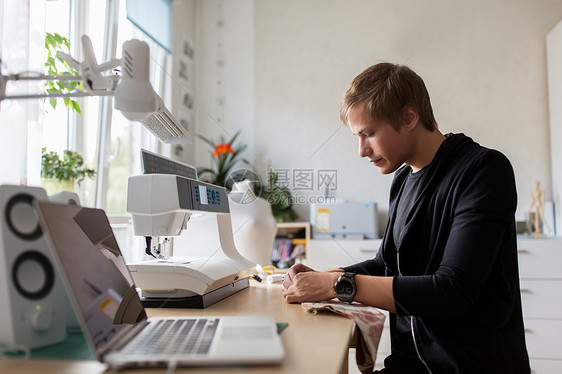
[31, 293]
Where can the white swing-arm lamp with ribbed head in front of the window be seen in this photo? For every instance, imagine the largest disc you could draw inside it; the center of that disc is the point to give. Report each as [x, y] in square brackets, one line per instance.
[134, 95]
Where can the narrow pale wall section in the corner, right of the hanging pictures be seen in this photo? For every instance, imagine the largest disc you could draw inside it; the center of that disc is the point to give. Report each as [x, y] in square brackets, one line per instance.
[225, 73]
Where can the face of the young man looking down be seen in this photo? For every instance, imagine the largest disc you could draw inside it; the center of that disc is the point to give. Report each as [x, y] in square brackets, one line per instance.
[384, 147]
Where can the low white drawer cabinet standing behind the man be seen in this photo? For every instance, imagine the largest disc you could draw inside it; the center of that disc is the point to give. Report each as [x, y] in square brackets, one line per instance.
[541, 291]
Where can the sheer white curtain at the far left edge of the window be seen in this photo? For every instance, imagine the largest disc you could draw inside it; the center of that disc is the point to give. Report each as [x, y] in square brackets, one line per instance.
[22, 34]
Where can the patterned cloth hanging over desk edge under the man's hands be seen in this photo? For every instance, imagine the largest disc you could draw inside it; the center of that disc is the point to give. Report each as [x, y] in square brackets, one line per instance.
[369, 322]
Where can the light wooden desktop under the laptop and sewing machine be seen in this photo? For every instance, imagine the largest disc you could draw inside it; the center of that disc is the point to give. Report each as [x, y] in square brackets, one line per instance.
[313, 343]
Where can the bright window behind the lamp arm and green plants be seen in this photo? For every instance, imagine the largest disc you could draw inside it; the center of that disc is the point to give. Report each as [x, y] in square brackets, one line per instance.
[109, 143]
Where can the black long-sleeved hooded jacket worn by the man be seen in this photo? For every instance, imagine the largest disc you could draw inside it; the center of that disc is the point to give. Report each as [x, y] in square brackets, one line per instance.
[457, 277]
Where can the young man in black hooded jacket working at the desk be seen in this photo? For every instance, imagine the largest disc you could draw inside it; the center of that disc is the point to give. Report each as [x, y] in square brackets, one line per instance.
[447, 267]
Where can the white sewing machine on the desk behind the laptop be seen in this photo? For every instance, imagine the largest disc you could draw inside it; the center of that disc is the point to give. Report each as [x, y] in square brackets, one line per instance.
[161, 206]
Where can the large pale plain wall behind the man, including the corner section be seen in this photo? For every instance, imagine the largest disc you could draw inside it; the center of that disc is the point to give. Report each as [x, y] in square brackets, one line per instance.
[483, 62]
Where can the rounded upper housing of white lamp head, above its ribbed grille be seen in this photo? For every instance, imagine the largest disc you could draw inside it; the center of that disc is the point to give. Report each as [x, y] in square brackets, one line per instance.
[134, 95]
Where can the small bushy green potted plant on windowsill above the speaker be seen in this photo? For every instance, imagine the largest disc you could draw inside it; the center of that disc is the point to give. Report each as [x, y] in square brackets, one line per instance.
[62, 172]
